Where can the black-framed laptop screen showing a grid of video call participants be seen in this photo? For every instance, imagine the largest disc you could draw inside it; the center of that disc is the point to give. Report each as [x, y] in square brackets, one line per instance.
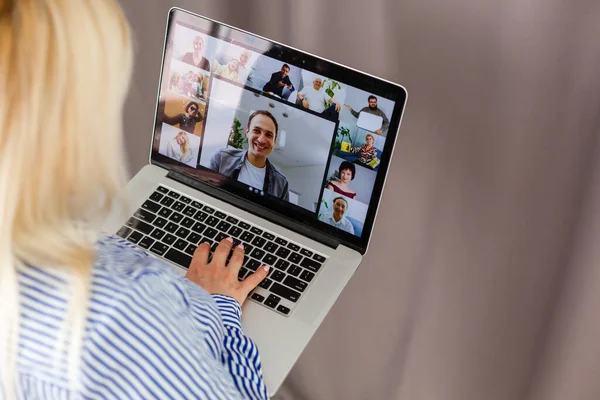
[303, 137]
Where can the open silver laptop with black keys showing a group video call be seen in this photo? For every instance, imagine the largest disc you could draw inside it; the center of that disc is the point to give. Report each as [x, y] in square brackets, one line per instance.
[228, 159]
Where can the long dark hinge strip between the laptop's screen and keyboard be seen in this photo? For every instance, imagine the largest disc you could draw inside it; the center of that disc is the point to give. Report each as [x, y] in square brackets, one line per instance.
[255, 209]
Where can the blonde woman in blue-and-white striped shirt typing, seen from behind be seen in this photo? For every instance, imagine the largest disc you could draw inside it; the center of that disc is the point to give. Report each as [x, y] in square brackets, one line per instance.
[85, 314]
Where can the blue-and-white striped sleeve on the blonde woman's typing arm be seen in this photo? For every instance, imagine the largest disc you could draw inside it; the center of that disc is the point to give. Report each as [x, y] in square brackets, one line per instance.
[161, 339]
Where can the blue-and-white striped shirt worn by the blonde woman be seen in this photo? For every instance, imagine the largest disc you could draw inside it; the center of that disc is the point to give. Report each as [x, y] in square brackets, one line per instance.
[149, 334]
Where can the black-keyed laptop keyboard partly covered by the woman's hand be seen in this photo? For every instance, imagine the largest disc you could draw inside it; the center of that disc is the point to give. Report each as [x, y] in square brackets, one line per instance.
[171, 225]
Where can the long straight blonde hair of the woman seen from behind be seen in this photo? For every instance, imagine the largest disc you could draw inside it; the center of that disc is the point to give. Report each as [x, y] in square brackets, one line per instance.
[64, 72]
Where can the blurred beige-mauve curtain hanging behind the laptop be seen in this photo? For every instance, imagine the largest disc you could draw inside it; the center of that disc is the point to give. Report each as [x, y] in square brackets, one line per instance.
[483, 277]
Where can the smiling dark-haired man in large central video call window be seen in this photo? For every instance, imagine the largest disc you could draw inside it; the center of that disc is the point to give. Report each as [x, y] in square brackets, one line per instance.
[252, 166]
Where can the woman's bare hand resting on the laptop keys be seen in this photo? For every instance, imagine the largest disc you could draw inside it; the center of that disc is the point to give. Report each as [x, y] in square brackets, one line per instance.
[218, 278]
